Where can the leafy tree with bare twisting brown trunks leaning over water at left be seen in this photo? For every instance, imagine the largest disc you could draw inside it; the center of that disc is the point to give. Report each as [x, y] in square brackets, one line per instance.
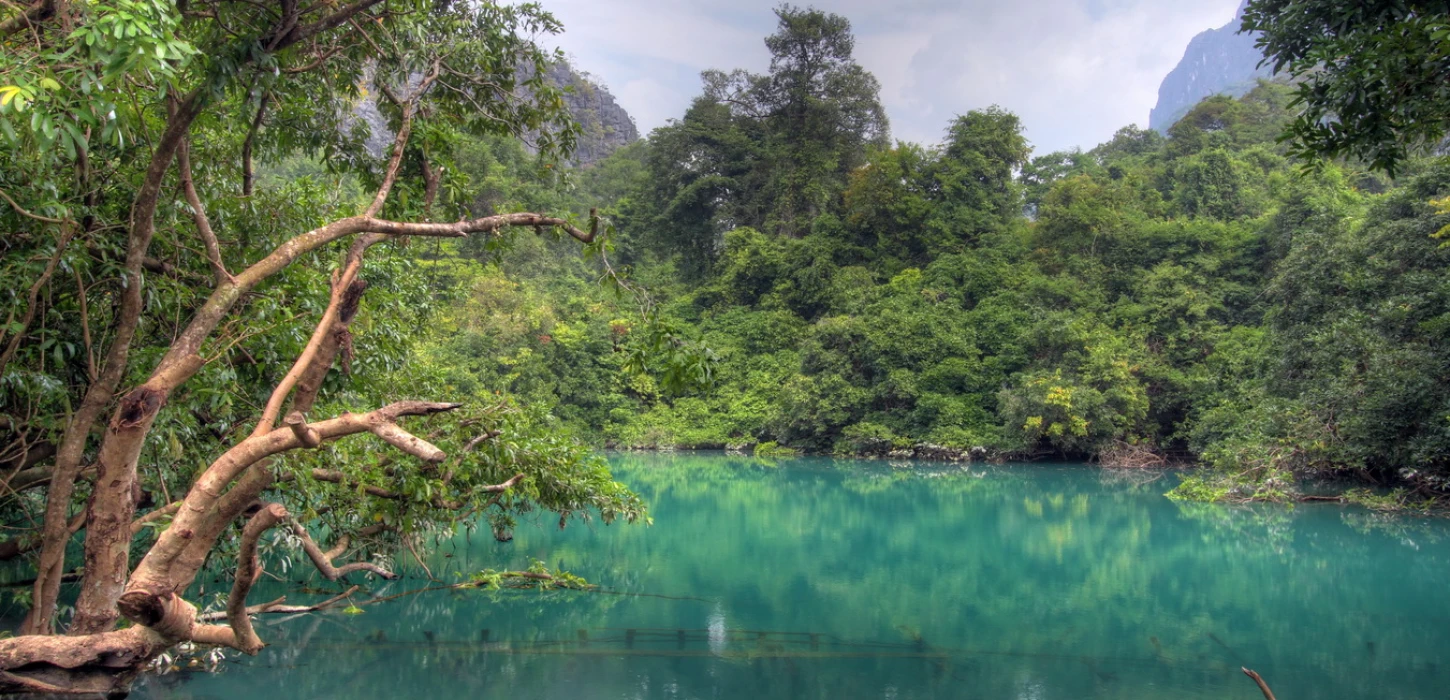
[162, 275]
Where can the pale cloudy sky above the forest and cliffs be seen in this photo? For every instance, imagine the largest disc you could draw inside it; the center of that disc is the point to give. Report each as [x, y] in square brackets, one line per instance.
[1074, 70]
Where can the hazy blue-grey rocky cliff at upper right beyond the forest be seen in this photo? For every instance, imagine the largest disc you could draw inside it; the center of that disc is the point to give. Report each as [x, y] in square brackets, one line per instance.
[1219, 62]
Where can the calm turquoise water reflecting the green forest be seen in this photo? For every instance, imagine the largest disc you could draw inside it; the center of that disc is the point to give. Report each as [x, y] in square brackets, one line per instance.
[819, 579]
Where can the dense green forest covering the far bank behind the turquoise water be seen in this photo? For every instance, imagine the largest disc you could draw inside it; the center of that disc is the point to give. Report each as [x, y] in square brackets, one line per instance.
[1190, 296]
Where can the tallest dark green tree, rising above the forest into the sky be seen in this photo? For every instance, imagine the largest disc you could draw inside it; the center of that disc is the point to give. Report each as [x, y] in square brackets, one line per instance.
[766, 151]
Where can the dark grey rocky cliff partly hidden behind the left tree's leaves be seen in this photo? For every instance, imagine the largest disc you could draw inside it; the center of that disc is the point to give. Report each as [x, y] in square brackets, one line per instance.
[604, 124]
